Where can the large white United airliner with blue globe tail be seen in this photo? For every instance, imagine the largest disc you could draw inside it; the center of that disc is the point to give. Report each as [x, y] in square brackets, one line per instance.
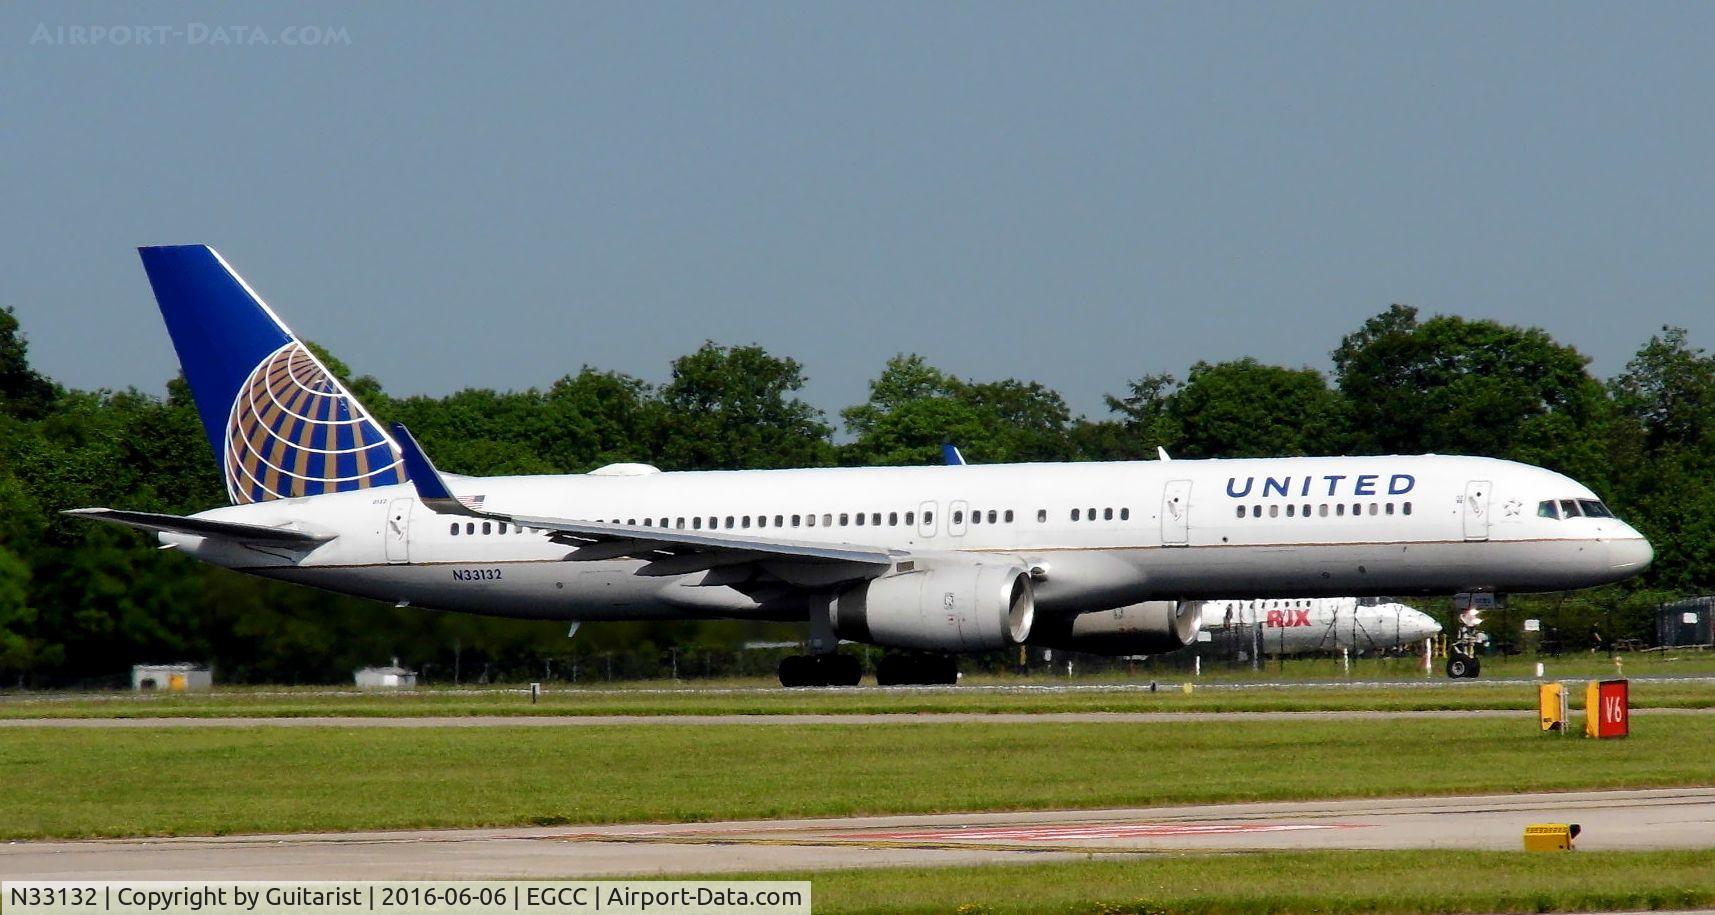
[927, 559]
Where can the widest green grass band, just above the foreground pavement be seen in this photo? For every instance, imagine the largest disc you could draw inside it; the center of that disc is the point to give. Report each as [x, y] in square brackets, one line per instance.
[71, 782]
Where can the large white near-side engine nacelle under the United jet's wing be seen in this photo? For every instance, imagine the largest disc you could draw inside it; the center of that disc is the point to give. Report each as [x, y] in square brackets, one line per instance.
[946, 607]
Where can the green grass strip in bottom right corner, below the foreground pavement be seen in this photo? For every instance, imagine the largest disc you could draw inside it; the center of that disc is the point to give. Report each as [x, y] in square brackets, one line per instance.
[1284, 883]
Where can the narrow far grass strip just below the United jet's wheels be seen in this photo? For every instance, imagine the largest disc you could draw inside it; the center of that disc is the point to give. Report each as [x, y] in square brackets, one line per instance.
[978, 695]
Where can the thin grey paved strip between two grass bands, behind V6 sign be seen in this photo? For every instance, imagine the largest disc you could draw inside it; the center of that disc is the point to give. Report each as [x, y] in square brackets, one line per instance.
[865, 719]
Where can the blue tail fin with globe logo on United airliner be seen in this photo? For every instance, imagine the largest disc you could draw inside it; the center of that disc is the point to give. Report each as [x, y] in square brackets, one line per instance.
[280, 424]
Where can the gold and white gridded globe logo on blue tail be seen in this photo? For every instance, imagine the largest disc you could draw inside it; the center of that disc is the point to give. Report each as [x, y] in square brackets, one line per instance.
[294, 431]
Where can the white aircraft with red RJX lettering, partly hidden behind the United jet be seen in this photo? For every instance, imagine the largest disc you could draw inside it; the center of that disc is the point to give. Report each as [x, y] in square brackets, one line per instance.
[1297, 626]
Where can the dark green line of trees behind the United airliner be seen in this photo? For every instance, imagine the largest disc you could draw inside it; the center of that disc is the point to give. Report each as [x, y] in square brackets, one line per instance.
[83, 602]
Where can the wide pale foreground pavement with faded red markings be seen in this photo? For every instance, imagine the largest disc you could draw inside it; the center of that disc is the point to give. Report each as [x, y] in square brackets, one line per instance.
[1668, 818]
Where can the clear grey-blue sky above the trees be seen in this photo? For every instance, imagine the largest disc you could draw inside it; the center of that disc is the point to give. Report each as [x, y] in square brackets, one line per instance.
[1078, 194]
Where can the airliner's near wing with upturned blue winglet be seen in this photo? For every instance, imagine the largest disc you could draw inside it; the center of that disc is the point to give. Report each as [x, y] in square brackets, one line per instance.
[670, 551]
